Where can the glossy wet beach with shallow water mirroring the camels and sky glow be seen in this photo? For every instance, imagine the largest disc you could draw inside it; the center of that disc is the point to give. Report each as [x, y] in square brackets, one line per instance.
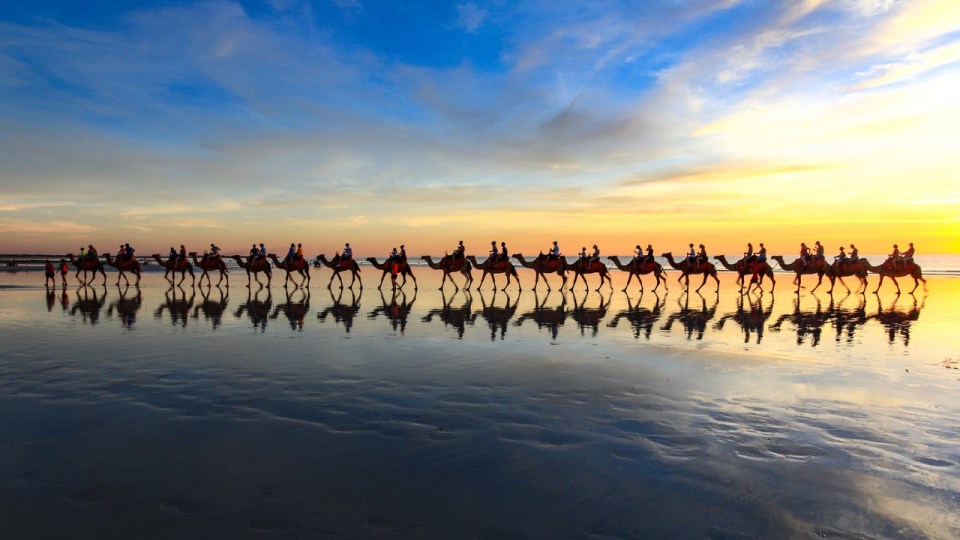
[187, 412]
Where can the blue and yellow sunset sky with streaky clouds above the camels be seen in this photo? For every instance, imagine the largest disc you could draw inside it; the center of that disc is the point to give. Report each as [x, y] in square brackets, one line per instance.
[424, 123]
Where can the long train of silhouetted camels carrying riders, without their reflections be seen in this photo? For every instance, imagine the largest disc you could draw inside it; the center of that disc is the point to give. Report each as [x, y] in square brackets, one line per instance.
[751, 269]
